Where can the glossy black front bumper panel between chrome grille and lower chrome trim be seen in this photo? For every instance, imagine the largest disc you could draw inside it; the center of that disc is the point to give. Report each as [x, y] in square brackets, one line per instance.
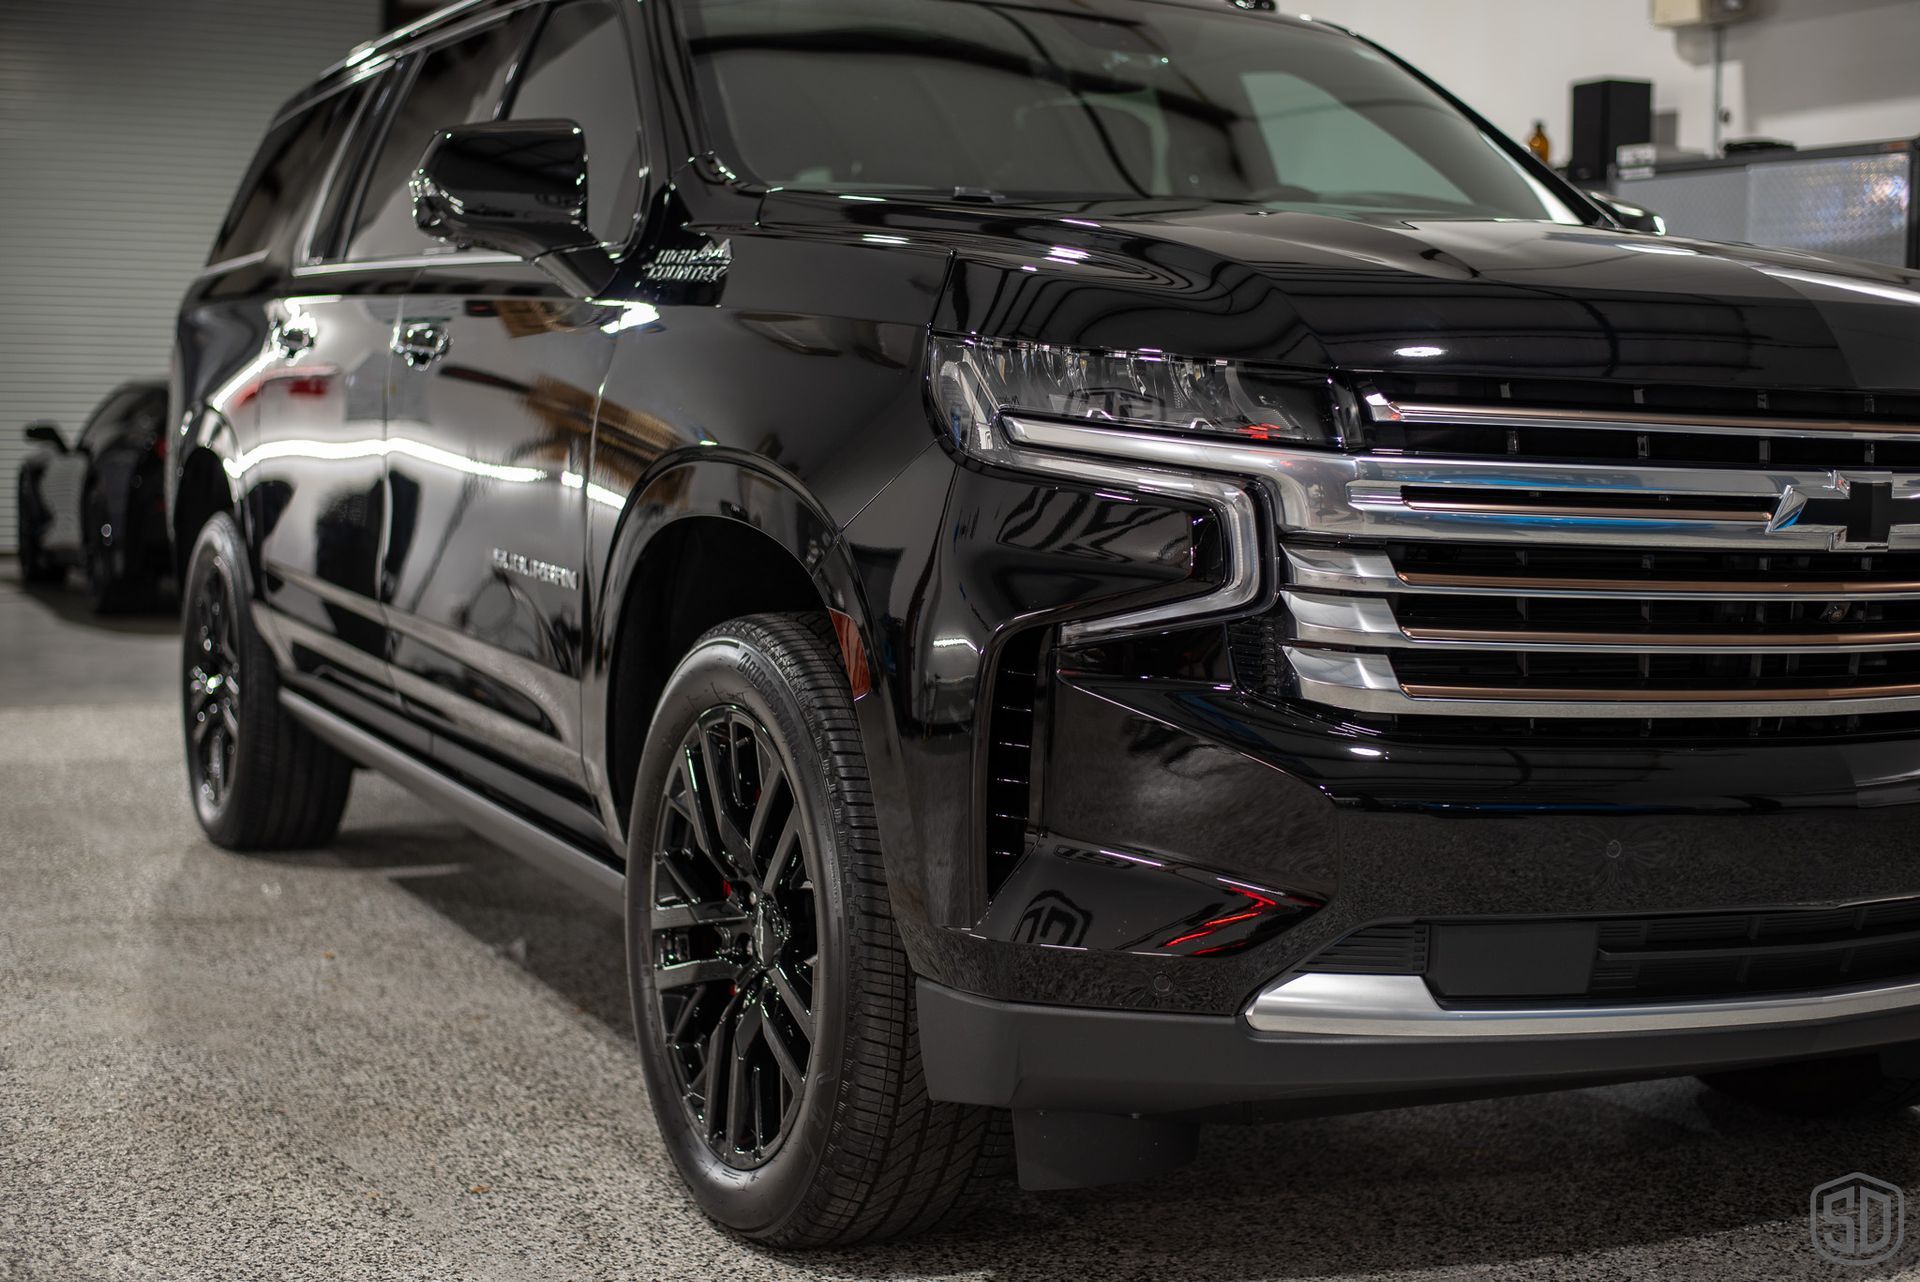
[1153, 778]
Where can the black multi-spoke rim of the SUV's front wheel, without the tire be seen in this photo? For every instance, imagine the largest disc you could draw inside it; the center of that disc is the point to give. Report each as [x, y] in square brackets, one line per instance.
[736, 938]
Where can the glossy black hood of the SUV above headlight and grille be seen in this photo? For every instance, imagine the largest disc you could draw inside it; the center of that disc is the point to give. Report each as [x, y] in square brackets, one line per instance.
[1456, 298]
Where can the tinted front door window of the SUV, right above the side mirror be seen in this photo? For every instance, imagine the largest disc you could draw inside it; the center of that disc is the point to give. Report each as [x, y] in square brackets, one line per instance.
[583, 72]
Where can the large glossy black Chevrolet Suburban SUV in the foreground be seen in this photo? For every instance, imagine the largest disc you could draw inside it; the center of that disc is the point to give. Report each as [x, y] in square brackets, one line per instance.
[1076, 569]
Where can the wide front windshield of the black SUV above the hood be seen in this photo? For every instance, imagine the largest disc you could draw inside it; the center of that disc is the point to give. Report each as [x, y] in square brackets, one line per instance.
[1061, 101]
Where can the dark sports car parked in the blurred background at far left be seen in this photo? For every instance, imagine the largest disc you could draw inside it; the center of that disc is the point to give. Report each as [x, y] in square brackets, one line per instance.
[101, 504]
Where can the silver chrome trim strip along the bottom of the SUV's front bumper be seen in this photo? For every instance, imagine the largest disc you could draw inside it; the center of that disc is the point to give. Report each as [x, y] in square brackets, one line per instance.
[1403, 1007]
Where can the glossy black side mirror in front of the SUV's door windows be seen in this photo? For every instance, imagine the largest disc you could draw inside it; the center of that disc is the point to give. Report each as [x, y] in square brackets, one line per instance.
[519, 187]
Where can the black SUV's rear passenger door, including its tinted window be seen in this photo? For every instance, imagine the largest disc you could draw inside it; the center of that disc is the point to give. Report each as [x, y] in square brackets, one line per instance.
[318, 475]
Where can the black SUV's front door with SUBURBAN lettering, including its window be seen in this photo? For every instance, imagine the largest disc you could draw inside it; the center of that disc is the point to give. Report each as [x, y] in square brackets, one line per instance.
[489, 435]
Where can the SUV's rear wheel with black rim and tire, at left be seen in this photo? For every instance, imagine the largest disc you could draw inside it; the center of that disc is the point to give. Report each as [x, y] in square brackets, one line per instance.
[258, 778]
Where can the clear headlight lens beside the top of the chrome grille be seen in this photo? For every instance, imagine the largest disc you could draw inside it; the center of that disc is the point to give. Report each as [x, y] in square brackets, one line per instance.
[980, 379]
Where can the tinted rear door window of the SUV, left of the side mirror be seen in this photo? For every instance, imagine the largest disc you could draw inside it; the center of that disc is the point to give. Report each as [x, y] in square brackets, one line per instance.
[458, 83]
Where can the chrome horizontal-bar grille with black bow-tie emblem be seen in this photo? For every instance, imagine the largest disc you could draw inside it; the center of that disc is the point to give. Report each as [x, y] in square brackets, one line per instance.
[1691, 567]
